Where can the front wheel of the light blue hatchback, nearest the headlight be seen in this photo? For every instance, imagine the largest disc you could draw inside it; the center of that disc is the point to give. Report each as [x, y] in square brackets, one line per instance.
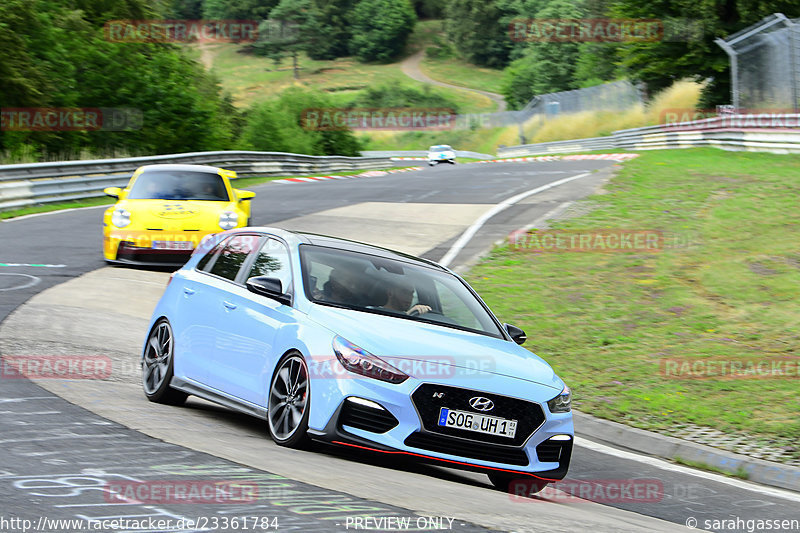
[288, 402]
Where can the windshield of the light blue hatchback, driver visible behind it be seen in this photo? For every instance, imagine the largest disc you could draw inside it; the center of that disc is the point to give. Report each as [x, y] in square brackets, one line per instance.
[385, 286]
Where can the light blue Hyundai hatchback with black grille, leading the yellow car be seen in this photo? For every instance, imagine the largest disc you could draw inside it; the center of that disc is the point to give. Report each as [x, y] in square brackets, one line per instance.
[360, 346]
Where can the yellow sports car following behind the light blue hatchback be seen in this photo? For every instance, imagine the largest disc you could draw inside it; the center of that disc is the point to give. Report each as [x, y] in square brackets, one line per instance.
[166, 210]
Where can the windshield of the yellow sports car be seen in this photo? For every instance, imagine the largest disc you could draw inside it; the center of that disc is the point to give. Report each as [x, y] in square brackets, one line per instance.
[179, 185]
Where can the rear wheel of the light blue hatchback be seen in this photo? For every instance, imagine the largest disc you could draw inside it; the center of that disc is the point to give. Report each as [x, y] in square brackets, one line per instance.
[157, 366]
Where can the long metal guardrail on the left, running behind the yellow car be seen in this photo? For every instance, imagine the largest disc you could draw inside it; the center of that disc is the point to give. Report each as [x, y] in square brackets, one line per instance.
[36, 183]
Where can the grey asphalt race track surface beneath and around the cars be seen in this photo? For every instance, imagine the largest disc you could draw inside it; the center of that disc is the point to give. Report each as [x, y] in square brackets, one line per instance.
[58, 297]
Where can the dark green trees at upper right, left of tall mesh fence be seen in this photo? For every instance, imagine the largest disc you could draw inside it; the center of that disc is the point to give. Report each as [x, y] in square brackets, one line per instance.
[480, 31]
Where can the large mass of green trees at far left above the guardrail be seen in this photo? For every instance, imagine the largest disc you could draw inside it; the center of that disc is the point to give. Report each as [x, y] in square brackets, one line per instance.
[55, 55]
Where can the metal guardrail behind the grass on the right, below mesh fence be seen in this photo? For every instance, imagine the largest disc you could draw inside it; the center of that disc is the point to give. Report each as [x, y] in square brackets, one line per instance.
[765, 132]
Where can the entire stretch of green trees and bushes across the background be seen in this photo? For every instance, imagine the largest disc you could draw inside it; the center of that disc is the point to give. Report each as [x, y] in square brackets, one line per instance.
[54, 54]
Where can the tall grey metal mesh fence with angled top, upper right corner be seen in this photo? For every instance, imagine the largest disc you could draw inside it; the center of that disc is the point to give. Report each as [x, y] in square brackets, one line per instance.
[765, 64]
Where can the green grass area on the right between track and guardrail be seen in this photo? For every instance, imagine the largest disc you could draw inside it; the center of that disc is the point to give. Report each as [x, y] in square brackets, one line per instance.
[606, 320]
